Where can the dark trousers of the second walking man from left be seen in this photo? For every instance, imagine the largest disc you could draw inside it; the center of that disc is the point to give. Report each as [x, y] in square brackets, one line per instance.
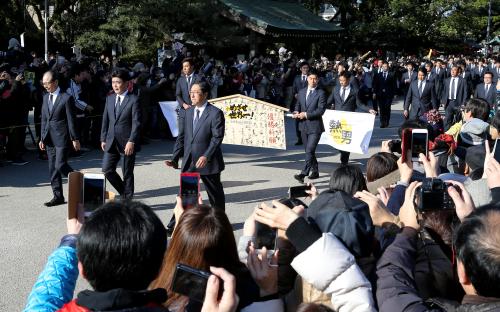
[111, 158]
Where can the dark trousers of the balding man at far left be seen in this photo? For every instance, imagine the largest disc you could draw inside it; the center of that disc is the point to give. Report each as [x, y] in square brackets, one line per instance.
[58, 167]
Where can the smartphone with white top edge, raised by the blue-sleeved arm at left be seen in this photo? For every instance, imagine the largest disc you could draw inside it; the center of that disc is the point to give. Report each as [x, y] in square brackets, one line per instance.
[94, 192]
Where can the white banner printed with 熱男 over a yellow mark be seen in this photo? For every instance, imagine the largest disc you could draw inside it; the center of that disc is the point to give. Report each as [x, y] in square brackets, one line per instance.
[347, 131]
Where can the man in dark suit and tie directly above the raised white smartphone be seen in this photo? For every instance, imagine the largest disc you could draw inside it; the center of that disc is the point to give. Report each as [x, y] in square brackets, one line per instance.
[421, 97]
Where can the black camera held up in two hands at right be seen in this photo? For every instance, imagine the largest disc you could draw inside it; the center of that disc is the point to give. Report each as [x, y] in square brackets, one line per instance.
[433, 195]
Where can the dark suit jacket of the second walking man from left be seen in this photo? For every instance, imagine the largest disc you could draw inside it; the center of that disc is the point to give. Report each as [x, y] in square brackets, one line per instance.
[125, 128]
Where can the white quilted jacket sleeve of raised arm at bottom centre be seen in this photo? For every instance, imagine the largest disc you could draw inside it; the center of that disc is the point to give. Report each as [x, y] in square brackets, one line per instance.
[332, 269]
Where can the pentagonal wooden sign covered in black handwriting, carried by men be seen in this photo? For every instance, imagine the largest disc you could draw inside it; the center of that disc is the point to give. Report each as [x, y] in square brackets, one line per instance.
[252, 122]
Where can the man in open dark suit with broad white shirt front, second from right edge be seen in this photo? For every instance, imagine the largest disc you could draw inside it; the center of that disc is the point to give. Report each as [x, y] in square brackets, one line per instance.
[453, 96]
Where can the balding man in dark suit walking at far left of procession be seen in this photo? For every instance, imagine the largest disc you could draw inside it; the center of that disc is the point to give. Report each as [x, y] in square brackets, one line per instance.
[58, 127]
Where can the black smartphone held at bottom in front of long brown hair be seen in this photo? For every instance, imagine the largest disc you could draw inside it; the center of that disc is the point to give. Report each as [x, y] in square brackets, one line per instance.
[190, 282]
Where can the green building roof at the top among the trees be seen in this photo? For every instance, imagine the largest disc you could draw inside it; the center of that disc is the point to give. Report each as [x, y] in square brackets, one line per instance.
[278, 18]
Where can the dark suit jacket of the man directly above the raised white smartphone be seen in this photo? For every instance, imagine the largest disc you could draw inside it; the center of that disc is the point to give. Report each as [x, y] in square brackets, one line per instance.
[420, 104]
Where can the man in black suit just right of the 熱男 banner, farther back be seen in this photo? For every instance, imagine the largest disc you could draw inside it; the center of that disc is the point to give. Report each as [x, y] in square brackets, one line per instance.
[384, 86]
